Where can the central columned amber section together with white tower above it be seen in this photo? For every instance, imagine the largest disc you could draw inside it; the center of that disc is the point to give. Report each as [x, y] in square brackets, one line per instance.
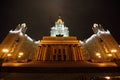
[59, 46]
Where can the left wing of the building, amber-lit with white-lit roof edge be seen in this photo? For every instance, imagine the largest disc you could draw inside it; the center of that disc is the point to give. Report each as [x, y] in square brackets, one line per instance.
[17, 42]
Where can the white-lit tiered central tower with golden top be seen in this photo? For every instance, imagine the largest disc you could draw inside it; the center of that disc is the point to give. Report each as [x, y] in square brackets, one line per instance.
[59, 29]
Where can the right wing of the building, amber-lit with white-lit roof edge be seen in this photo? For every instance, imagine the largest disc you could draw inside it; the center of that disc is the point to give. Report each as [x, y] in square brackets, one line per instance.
[101, 46]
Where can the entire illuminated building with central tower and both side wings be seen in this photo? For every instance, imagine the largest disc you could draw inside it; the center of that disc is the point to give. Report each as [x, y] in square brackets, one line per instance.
[59, 46]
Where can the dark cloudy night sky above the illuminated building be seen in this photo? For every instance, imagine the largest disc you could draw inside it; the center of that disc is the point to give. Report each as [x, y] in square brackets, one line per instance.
[78, 15]
